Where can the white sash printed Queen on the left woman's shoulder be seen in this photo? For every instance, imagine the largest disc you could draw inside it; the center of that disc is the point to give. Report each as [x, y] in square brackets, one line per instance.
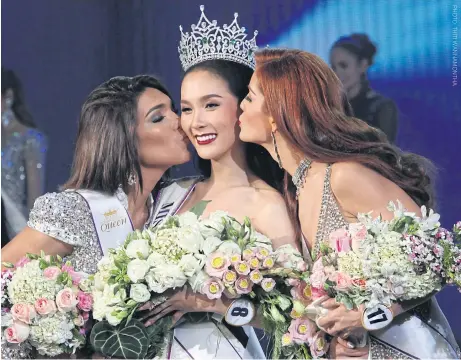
[111, 220]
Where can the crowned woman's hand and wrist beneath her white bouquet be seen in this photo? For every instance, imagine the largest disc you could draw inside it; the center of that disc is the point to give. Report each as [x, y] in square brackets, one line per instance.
[181, 302]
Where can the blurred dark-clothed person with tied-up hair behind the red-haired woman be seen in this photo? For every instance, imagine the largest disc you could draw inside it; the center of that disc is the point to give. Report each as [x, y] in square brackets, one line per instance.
[350, 58]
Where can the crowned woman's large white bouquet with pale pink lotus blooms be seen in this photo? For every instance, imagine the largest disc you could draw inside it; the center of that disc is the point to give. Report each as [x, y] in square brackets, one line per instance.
[217, 256]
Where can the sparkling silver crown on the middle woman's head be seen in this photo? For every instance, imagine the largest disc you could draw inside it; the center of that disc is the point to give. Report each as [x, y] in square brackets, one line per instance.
[207, 41]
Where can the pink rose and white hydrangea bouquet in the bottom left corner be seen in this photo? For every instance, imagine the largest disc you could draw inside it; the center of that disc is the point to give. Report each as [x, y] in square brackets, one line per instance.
[45, 305]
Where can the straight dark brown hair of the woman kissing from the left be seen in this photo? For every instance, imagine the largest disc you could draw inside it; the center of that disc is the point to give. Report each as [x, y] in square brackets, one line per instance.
[106, 152]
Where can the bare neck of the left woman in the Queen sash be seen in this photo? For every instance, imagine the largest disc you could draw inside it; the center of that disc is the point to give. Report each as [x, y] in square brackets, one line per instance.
[137, 199]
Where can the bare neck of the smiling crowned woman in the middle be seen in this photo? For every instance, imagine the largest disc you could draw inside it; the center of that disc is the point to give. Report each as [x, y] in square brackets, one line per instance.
[230, 170]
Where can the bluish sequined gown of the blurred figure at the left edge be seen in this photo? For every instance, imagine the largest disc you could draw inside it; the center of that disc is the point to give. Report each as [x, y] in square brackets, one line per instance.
[23, 167]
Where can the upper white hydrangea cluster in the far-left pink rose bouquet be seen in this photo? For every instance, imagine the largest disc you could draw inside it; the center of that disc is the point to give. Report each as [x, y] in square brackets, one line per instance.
[29, 284]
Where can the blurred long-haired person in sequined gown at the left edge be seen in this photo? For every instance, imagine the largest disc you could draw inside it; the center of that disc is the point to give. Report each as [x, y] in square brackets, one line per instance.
[23, 157]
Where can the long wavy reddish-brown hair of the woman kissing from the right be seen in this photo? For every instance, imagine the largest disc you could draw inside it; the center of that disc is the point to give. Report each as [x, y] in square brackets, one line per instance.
[307, 102]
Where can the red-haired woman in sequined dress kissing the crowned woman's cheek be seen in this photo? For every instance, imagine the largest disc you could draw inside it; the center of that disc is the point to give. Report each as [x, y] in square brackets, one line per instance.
[338, 166]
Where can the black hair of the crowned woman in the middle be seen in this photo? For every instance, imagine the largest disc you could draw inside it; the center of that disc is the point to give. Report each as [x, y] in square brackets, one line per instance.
[259, 160]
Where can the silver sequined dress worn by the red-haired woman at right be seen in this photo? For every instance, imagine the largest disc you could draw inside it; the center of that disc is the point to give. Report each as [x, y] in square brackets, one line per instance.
[417, 334]
